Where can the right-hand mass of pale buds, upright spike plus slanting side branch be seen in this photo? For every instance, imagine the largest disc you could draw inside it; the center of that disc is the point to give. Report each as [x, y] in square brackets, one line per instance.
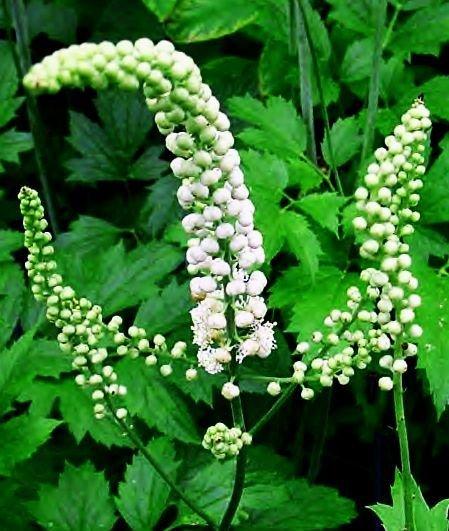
[379, 320]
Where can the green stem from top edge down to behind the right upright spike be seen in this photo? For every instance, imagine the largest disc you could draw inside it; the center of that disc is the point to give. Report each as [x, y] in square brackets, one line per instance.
[373, 95]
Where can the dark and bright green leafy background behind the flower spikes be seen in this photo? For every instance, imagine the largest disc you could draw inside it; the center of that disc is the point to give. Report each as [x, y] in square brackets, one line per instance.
[120, 243]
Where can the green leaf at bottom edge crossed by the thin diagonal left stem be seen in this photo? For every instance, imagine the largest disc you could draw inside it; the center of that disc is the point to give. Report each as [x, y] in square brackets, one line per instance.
[143, 495]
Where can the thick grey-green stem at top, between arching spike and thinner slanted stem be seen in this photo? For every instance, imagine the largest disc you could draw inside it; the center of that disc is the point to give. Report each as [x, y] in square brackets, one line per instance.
[300, 46]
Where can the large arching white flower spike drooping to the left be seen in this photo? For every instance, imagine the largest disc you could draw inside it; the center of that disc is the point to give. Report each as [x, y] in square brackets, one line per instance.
[225, 249]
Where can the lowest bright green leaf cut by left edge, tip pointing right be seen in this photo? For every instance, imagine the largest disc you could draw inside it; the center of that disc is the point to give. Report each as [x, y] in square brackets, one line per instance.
[21, 437]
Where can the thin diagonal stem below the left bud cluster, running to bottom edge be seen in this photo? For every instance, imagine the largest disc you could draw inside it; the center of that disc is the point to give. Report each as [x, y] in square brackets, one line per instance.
[134, 438]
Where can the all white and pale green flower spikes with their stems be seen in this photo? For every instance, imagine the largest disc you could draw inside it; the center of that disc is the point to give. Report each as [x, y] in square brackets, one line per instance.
[225, 255]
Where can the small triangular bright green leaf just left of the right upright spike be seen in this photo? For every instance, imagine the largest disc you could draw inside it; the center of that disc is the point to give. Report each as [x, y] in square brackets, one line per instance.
[323, 208]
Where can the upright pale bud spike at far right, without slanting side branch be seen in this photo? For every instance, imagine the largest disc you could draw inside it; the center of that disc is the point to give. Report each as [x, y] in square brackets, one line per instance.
[387, 206]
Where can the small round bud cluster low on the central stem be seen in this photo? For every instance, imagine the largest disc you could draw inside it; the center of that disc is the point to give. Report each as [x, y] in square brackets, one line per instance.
[225, 442]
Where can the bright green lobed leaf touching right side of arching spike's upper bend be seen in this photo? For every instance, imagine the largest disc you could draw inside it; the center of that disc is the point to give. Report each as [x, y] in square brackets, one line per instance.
[277, 128]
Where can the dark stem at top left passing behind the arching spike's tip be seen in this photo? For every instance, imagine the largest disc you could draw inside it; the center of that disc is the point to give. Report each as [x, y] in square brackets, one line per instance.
[22, 56]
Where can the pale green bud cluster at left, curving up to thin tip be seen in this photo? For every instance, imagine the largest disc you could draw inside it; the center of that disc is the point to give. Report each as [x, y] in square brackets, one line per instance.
[82, 330]
